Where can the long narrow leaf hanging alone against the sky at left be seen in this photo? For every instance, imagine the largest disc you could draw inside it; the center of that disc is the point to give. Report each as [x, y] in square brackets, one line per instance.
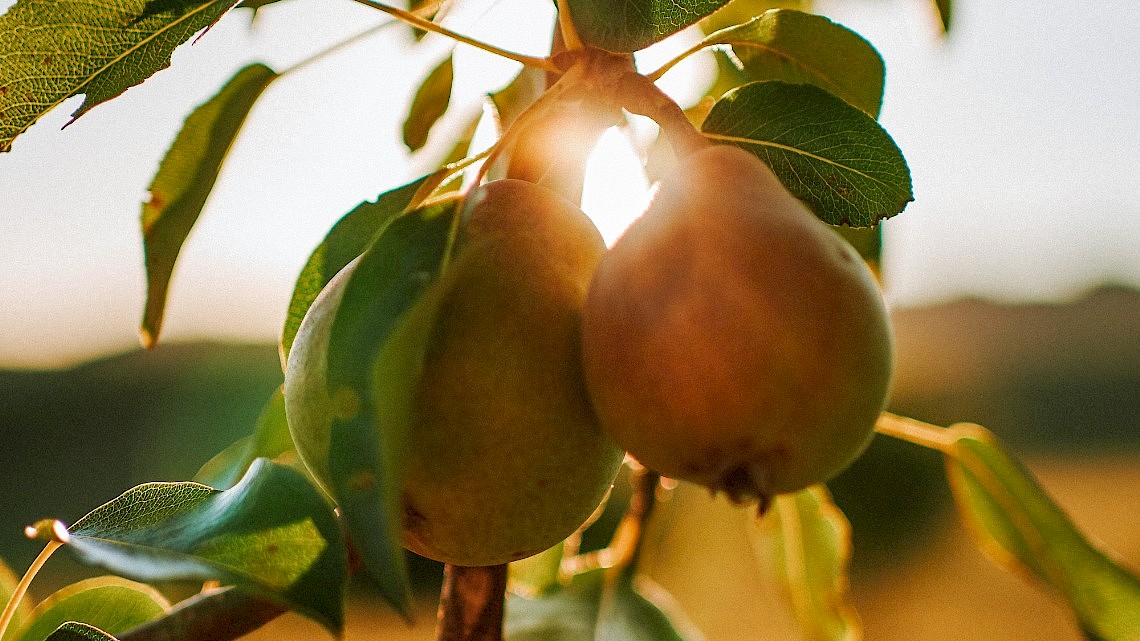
[185, 178]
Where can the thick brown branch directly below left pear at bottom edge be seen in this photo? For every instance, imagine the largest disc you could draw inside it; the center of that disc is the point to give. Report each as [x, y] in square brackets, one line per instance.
[473, 604]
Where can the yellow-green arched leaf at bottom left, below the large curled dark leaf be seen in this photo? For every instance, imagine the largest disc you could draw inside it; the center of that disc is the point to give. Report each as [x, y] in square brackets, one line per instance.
[110, 604]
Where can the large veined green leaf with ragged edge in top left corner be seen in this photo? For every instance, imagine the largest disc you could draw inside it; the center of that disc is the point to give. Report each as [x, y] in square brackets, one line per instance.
[55, 50]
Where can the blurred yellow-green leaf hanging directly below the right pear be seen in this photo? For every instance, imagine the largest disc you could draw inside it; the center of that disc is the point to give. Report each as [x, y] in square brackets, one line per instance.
[807, 541]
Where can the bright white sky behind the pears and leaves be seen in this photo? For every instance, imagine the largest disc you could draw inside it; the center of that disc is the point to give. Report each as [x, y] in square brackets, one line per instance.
[1020, 131]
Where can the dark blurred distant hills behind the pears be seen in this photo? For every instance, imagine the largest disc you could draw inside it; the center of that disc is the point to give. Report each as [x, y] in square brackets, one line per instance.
[1044, 377]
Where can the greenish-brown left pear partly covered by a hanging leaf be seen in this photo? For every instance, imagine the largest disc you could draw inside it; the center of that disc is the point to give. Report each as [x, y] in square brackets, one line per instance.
[506, 456]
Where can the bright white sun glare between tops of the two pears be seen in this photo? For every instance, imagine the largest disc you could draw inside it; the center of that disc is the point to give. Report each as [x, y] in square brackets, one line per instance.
[616, 191]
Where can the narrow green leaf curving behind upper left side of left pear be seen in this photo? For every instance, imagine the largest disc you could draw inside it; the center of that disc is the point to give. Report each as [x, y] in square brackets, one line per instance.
[347, 240]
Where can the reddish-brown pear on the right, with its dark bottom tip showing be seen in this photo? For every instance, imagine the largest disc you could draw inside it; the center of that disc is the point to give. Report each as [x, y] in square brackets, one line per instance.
[732, 339]
